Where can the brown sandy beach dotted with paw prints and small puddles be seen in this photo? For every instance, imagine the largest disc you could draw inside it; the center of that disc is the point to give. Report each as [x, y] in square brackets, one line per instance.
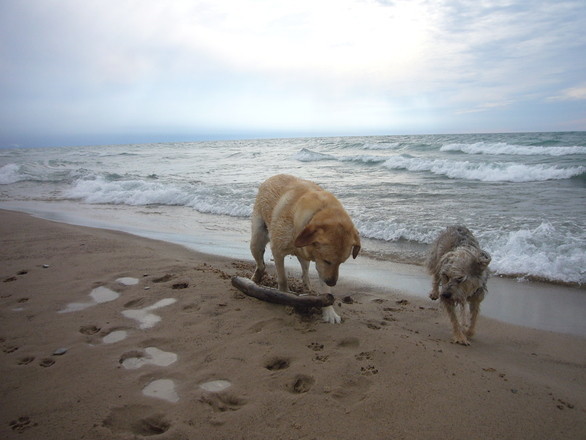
[107, 335]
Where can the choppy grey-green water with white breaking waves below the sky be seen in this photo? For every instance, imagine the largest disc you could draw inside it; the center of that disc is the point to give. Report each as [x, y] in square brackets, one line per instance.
[523, 195]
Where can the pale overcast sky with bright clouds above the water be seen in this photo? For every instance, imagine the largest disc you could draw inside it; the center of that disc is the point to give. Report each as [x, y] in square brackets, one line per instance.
[121, 71]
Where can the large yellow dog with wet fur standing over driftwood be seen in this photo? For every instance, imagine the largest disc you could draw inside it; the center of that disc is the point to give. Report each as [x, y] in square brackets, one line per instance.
[300, 218]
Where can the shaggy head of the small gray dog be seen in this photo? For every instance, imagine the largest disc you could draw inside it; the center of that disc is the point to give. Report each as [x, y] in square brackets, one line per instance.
[463, 272]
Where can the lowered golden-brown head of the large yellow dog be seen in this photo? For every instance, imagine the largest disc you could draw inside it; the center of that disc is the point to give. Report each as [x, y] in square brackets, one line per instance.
[329, 241]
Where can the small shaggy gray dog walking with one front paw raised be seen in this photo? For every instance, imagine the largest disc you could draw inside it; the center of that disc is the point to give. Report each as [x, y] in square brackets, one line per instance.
[459, 270]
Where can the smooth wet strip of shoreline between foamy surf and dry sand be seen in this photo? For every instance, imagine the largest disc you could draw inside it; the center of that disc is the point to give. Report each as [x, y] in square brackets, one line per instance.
[545, 306]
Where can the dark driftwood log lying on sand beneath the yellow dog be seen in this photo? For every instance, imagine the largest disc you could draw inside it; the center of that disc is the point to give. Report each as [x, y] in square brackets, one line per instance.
[278, 297]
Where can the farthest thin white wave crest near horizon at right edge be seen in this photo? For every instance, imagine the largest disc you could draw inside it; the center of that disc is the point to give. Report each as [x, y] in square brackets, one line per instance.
[500, 148]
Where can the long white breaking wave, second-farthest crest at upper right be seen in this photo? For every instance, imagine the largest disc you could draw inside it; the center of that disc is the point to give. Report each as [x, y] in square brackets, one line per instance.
[497, 172]
